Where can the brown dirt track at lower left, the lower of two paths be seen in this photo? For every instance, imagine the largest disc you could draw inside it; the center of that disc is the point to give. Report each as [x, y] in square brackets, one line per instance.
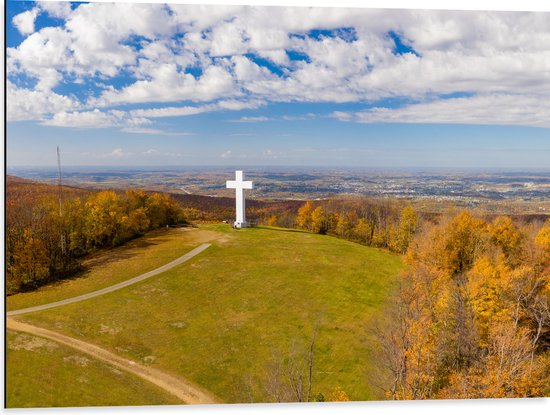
[181, 388]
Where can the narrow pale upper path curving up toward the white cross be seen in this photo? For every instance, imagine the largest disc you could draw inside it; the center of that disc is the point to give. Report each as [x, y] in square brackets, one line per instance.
[118, 286]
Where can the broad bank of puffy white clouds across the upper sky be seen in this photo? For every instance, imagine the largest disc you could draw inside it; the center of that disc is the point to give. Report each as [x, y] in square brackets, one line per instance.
[185, 60]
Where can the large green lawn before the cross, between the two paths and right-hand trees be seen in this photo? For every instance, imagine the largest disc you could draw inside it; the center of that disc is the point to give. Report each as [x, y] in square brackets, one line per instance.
[223, 318]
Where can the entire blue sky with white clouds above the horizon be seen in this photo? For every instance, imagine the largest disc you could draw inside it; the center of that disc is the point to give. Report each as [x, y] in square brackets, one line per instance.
[239, 86]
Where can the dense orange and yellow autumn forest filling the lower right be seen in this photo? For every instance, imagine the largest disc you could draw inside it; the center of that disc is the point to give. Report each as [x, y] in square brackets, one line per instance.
[471, 318]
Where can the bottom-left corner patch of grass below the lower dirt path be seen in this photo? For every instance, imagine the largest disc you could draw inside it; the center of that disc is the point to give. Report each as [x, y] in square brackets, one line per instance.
[41, 373]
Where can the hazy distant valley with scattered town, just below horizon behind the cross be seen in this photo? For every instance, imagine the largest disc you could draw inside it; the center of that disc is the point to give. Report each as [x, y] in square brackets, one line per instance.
[507, 192]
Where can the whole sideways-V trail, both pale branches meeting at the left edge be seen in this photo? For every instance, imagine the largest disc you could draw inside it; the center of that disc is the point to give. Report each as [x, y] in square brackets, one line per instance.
[181, 388]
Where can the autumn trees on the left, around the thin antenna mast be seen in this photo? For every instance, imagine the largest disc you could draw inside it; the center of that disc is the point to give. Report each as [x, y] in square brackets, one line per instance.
[46, 239]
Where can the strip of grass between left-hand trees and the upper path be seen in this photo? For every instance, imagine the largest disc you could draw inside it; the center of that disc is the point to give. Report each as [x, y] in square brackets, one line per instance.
[112, 266]
